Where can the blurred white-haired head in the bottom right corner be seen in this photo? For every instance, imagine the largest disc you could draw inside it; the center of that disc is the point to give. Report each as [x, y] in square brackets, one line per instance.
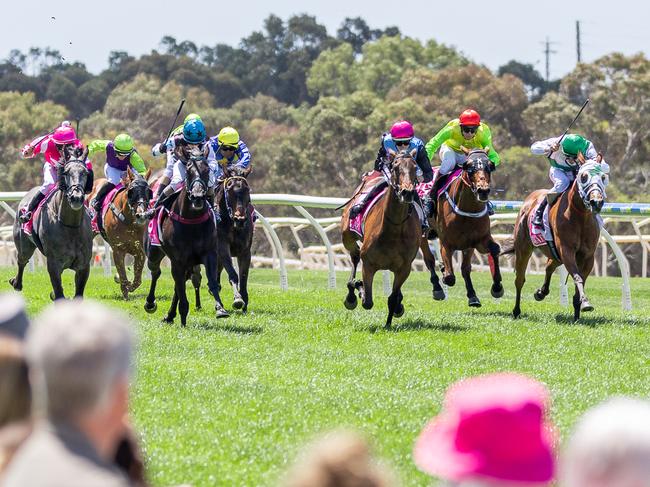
[610, 446]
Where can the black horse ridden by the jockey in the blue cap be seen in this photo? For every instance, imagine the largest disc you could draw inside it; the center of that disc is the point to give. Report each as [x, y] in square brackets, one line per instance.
[188, 238]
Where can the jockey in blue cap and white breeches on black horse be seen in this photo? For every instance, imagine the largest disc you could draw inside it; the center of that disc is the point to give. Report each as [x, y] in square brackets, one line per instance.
[193, 135]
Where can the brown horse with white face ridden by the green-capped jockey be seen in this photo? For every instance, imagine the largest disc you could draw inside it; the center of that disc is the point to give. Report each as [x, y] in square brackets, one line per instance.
[573, 223]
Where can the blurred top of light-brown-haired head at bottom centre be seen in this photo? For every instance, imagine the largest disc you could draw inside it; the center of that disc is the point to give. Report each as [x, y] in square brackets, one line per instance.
[340, 459]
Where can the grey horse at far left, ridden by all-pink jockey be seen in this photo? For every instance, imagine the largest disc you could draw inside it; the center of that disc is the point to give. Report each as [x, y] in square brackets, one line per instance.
[61, 228]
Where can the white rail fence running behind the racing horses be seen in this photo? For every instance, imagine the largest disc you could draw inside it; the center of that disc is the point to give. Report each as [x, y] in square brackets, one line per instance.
[332, 256]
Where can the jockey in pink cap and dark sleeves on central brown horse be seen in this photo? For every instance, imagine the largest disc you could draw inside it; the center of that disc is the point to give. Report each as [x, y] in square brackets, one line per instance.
[401, 138]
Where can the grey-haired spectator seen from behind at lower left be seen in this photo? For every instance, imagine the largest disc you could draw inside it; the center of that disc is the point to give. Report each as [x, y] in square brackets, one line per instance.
[79, 353]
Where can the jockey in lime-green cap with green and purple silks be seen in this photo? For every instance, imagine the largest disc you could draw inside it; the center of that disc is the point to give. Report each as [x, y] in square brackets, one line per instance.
[120, 154]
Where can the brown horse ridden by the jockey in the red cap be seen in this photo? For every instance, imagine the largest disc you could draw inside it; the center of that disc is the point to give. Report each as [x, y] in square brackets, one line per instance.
[463, 223]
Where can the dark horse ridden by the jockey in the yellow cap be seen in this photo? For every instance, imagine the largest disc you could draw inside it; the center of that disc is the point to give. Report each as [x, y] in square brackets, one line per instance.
[235, 232]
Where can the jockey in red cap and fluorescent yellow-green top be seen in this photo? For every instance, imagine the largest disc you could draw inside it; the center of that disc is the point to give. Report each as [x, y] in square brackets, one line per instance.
[465, 131]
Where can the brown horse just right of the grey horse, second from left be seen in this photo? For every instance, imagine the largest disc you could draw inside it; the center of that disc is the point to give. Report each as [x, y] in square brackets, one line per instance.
[124, 226]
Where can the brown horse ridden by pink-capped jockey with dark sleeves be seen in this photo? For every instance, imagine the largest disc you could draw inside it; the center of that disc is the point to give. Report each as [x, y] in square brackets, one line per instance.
[392, 231]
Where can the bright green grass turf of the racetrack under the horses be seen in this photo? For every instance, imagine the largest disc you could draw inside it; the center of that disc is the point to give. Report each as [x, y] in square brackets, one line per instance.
[231, 402]
